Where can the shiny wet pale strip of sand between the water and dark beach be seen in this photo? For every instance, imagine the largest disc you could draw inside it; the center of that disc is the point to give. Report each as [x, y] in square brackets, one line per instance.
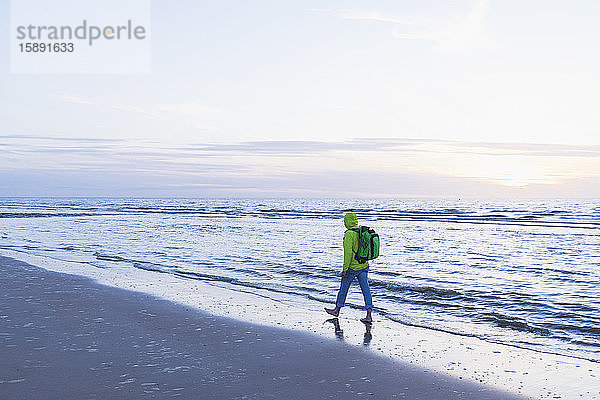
[522, 371]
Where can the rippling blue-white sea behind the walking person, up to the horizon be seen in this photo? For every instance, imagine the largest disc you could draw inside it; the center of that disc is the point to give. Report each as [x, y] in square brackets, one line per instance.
[523, 273]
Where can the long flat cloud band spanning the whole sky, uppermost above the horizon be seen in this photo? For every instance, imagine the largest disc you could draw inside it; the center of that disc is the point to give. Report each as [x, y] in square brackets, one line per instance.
[32, 143]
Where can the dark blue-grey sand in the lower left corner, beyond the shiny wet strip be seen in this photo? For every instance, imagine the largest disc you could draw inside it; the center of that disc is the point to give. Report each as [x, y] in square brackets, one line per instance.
[66, 336]
